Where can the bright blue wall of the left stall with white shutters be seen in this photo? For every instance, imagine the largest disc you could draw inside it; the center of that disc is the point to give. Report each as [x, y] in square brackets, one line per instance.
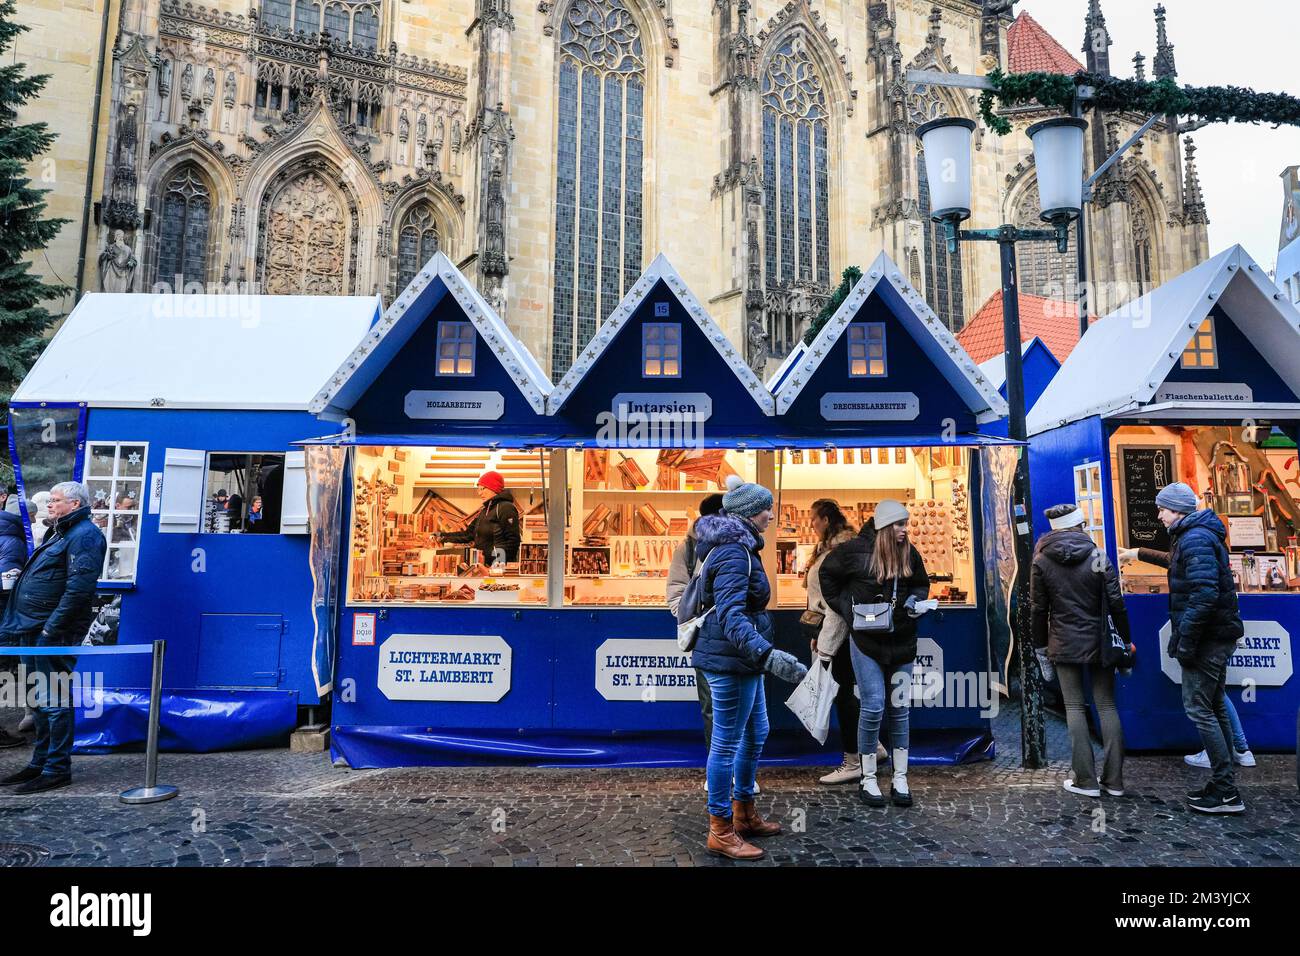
[180, 578]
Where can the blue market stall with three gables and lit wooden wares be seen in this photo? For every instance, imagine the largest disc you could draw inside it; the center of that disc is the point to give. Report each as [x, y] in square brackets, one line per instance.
[566, 655]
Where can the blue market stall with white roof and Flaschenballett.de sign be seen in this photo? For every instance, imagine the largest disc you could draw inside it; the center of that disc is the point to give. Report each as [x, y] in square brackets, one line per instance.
[1197, 382]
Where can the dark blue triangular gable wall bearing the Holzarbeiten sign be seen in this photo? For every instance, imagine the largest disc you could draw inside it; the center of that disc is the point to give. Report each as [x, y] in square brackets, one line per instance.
[383, 408]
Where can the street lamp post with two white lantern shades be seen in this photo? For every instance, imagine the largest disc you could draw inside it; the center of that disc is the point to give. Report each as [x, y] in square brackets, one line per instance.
[1059, 159]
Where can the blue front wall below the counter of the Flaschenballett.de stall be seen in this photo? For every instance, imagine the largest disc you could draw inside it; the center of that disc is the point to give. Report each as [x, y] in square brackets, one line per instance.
[1151, 706]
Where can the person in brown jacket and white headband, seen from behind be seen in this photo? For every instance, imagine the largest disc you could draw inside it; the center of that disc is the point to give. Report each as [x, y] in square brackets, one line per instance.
[1072, 590]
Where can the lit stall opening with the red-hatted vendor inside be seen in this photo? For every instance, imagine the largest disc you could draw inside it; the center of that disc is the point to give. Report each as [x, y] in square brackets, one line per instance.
[414, 516]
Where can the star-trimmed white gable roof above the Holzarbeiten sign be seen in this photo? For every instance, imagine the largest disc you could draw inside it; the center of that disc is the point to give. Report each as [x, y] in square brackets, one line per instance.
[409, 312]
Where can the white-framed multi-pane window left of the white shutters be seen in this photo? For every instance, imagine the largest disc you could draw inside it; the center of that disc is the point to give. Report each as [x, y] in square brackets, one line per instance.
[115, 477]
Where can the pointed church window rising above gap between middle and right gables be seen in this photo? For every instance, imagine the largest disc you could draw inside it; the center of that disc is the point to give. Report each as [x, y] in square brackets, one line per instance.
[795, 171]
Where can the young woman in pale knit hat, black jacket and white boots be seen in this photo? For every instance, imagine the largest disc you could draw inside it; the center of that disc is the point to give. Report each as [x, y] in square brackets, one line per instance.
[881, 568]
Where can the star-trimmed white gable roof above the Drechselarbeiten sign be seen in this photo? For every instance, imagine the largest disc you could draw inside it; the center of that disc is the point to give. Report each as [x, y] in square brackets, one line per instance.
[922, 325]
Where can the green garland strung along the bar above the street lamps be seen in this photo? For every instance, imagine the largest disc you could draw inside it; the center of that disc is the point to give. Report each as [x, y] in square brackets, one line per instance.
[1160, 97]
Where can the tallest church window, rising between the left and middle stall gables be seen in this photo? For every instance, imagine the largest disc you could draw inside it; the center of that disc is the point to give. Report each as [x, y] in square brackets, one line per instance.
[599, 181]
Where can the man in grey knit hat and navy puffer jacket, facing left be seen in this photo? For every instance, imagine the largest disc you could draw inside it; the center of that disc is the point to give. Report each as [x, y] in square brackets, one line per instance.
[1206, 626]
